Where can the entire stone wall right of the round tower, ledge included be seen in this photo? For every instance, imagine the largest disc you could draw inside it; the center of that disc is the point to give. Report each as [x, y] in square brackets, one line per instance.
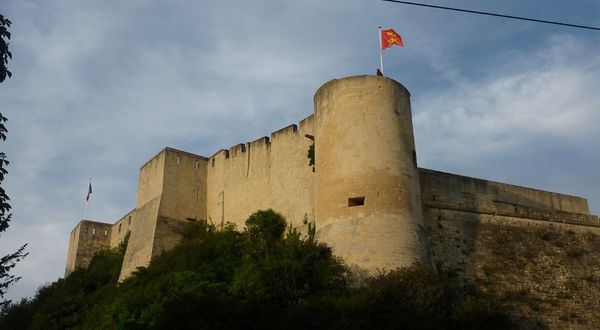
[546, 267]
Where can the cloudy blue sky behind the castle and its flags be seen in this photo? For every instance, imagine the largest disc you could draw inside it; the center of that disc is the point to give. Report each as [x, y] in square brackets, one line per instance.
[99, 87]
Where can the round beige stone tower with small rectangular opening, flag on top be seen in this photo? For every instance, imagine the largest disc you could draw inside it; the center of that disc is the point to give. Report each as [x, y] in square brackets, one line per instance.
[368, 201]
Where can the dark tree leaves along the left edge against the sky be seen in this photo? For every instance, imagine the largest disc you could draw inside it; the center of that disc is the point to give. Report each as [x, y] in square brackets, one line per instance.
[8, 261]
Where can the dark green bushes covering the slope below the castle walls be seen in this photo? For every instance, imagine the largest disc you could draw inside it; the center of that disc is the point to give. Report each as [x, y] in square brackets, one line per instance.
[264, 277]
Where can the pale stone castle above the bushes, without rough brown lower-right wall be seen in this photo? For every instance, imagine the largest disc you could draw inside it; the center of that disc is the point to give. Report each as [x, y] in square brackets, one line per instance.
[365, 194]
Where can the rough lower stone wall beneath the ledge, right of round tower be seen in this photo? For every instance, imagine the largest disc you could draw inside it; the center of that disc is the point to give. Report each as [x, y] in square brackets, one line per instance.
[541, 270]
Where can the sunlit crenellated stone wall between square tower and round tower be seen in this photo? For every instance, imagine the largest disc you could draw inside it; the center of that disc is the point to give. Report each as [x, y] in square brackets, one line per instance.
[266, 173]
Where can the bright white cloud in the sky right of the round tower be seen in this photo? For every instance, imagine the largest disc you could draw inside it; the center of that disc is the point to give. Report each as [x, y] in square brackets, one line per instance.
[541, 96]
